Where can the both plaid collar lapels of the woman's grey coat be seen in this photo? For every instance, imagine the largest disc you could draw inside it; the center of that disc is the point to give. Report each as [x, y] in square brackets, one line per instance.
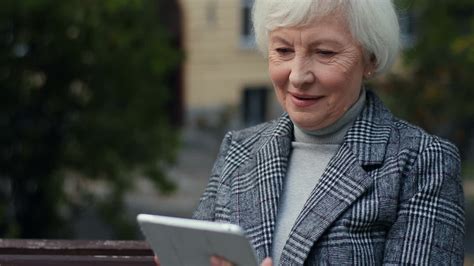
[343, 181]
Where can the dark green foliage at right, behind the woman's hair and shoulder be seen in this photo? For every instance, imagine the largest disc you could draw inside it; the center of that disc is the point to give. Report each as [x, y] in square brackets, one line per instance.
[436, 91]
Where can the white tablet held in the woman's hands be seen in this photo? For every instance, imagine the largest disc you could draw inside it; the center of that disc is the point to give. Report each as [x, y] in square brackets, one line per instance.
[179, 241]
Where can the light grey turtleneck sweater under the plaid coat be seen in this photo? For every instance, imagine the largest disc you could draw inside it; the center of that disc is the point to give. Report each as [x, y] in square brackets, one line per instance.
[311, 152]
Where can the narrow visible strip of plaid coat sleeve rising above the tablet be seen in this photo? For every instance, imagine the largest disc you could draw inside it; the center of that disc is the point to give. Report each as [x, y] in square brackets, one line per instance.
[206, 207]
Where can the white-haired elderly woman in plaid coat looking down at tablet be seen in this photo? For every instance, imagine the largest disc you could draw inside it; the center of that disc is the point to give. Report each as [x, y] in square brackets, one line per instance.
[337, 179]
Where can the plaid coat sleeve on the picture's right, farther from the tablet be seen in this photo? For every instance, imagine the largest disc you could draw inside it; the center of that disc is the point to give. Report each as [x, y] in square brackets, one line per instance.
[429, 228]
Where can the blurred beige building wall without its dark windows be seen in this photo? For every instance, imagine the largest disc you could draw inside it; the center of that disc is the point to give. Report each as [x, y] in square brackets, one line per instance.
[216, 66]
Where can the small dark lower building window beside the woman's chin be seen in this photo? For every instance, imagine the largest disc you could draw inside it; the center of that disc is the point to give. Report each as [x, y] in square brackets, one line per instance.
[254, 105]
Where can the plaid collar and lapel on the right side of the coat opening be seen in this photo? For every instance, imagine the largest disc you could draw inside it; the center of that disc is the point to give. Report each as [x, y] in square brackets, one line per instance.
[344, 180]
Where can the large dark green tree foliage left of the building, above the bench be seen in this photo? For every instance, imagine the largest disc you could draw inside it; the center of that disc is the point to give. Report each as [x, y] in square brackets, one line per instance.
[83, 96]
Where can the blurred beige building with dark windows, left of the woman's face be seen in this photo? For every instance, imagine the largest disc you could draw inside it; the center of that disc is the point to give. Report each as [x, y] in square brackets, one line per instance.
[224, 78]
